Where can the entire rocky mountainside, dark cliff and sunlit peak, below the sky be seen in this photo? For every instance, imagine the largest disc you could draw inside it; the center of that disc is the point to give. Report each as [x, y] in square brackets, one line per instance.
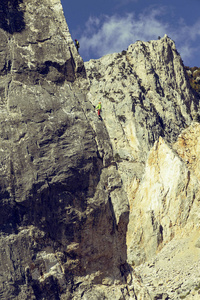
[93, 208]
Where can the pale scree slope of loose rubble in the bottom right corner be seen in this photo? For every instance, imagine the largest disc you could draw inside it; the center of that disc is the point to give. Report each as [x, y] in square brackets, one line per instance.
[175, 269]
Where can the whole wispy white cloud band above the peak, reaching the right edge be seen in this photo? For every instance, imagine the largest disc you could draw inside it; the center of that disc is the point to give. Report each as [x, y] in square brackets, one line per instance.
[108, 34]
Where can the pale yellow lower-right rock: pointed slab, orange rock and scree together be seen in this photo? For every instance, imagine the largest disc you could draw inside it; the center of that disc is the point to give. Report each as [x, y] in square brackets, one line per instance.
[164, 220]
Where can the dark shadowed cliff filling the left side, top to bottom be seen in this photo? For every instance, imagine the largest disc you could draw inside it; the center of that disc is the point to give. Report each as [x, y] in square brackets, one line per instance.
[57, 221]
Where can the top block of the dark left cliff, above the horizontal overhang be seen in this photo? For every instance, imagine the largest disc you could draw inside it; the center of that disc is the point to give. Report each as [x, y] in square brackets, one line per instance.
[42, 50]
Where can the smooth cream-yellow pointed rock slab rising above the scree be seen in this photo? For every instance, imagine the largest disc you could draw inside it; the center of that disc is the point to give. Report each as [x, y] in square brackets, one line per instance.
[162, 203]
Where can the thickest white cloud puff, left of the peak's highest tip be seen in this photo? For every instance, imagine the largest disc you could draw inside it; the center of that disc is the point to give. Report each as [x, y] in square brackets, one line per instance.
[109, 34]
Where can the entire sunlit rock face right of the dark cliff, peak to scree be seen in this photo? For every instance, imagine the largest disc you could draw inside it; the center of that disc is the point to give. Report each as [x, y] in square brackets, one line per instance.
[147, 102]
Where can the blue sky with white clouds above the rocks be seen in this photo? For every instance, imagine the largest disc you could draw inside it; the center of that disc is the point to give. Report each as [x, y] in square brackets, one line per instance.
[110, 26]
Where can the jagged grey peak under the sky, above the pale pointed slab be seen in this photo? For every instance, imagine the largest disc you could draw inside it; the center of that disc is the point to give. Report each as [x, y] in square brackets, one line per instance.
[145, 94]
